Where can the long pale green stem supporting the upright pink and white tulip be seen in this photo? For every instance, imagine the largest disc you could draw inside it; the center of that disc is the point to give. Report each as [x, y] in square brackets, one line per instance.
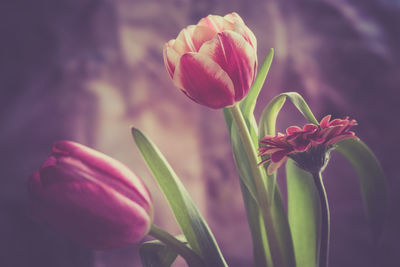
[277, 257]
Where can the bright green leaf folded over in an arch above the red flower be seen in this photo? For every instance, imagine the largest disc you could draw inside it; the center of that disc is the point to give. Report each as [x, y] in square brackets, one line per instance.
[271, 111]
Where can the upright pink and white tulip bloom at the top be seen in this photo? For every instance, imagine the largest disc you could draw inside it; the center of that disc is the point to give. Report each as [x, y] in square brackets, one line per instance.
[214, 62]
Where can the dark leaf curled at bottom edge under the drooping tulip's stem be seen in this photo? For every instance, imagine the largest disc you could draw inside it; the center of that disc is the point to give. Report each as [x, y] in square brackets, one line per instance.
[156, 254]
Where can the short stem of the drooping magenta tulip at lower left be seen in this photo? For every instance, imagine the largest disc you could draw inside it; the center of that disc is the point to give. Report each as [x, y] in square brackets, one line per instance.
[192, 259]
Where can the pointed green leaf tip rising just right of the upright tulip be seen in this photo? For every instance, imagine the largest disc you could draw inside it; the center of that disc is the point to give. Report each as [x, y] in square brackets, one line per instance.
[248, 104]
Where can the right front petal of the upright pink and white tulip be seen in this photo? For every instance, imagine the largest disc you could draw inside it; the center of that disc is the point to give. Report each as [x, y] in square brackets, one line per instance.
[235, 56]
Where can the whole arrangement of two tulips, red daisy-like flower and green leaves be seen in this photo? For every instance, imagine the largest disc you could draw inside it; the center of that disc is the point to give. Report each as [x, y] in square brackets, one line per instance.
[98, 202]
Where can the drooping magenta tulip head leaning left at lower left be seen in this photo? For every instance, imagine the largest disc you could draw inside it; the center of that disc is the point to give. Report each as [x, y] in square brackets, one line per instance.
[90, 197]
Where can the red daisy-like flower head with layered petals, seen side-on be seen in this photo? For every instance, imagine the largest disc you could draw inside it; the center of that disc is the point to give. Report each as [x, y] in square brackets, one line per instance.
[306, 146]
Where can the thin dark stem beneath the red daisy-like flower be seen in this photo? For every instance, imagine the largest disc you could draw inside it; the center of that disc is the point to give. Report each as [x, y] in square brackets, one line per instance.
[324, 228]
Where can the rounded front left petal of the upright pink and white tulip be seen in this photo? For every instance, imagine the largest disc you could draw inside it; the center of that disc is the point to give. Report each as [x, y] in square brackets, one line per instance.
[204, 80]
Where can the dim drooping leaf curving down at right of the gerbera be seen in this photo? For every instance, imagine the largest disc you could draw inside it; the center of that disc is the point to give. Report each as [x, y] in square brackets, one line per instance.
[372, 182]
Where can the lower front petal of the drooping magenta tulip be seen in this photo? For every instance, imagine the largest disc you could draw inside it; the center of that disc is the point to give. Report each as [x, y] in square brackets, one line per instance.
[107, 219]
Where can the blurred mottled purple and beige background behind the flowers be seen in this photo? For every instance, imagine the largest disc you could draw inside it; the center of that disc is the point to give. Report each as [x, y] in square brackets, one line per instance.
[86, 70]
